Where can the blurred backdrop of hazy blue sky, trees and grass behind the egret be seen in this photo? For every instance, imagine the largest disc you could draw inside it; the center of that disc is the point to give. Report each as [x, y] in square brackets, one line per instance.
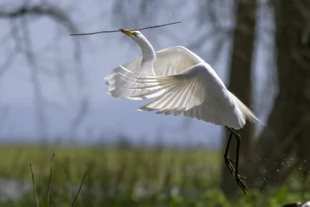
[53, 100]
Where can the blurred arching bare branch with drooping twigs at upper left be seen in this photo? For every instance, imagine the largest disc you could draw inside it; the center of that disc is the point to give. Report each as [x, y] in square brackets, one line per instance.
[61, 17]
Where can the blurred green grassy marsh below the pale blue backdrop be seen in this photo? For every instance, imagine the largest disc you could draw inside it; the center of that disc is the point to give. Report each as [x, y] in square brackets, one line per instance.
[124, 177]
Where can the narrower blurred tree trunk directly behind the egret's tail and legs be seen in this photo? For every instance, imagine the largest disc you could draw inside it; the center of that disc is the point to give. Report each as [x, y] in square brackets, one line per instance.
[240, 85]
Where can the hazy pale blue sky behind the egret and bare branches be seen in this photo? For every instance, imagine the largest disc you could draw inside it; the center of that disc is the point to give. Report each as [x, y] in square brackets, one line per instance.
[107, 118]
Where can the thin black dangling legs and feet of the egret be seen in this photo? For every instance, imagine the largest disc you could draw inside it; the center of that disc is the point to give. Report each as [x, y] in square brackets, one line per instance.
[236, 170]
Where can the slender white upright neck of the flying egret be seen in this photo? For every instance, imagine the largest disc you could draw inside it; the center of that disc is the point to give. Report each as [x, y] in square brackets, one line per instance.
[148, 56]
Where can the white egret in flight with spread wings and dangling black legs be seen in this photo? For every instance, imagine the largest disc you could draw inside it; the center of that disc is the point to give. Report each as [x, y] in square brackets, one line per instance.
[180, 83]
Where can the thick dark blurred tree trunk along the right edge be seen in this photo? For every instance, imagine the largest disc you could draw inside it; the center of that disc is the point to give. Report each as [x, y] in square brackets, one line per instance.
[288, 130]
